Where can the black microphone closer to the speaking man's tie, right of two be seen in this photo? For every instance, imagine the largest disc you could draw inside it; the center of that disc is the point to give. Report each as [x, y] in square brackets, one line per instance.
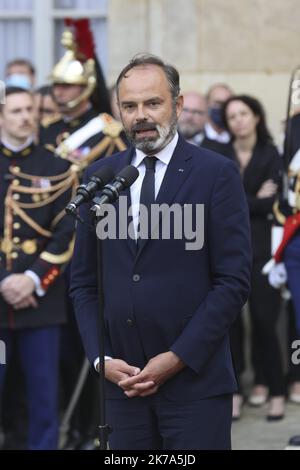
[111, 192]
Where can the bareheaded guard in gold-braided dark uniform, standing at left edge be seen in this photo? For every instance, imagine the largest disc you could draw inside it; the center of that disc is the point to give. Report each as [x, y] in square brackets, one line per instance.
[36, 241]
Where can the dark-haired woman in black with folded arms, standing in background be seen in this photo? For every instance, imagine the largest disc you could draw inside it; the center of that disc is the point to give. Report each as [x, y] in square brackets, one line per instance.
[257, 157]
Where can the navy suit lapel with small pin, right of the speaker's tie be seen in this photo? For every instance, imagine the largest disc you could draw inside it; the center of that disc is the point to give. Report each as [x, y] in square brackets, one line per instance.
[177, 172]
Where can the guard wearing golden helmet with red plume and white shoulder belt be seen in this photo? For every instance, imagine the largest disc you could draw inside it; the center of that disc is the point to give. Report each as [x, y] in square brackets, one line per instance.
[81, 135]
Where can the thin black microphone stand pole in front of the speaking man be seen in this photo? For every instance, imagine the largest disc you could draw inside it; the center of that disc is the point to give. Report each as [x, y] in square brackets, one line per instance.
[104, 428]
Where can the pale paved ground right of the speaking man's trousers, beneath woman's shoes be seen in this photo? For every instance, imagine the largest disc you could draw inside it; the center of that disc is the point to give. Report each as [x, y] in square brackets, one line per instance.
[253, 432]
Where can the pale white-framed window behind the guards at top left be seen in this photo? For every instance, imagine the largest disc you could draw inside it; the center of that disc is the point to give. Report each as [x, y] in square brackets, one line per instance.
[32, 29]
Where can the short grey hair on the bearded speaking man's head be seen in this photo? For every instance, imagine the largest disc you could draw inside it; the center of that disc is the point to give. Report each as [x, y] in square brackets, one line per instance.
[141, 60]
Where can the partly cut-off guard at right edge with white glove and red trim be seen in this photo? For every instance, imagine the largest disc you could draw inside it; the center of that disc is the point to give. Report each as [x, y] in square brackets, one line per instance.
[284, 267]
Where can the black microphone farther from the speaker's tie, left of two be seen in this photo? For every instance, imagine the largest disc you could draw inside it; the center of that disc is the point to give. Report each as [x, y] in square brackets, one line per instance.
[86, 192]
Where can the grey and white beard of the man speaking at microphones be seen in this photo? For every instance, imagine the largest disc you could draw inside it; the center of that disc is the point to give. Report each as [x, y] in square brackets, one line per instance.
[151, 145]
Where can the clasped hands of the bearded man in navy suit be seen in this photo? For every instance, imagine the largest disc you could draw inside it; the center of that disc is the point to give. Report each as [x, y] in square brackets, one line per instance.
[146, 382]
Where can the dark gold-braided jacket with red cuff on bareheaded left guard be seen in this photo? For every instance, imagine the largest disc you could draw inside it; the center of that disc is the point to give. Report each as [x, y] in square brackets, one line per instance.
[35, 233]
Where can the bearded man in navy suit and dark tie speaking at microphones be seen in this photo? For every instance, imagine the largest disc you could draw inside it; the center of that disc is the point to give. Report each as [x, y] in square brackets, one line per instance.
[168, 307]
